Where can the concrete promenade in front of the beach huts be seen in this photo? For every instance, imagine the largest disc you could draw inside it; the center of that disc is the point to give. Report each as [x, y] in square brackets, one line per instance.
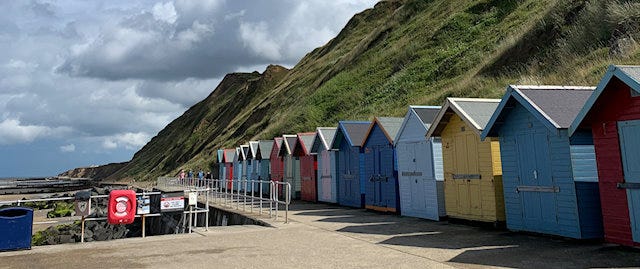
[324, 236]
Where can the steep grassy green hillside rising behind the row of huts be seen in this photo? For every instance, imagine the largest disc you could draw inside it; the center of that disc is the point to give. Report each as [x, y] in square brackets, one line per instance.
[400, 53]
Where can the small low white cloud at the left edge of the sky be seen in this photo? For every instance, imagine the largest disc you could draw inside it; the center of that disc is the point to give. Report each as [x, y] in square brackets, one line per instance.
[13, 132]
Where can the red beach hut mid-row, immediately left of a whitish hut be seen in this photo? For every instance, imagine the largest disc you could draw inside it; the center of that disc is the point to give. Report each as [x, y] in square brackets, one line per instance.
[308, 166]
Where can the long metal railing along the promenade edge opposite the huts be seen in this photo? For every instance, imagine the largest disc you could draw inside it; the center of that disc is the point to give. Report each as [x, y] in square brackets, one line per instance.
[243, 194]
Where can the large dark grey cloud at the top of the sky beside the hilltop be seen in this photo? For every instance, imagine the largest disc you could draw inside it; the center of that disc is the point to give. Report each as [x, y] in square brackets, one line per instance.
[209, 44]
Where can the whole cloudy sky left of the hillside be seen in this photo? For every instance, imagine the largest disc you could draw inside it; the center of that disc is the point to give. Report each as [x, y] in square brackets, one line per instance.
[90, 82]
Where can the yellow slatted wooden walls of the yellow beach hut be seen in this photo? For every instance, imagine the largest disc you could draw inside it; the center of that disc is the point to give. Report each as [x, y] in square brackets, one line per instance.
[464, 154]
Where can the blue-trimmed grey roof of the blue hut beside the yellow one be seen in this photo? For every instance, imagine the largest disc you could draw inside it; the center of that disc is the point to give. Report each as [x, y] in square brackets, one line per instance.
[554, 106]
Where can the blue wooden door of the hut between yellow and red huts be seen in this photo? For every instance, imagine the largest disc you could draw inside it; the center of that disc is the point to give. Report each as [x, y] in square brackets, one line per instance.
[536, 186]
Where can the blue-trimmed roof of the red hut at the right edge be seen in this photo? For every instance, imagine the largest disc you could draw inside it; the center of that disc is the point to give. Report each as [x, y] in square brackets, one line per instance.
[629, 75]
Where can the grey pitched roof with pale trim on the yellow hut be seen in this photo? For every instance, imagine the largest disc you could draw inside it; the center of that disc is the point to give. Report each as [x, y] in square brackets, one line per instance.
[474, 112]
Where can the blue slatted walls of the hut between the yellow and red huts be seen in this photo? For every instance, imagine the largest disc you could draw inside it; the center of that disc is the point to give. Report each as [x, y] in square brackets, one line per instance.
[570, 212]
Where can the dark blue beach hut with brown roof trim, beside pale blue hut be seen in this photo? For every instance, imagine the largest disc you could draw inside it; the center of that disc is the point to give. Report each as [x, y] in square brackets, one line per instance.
[380, 171]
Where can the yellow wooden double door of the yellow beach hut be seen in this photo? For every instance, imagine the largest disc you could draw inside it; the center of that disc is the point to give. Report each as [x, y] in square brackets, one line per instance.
[467, 174]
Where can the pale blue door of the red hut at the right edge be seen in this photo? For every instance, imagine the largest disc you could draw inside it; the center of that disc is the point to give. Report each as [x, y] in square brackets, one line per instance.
[629, 148]
